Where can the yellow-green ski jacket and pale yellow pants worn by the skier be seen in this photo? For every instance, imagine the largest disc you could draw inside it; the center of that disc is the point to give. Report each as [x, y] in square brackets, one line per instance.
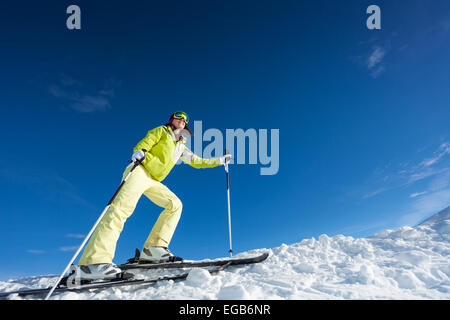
[163, 151]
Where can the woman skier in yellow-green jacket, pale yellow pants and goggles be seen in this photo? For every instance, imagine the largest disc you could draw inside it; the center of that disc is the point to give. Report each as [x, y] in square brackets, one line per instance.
[158, 152]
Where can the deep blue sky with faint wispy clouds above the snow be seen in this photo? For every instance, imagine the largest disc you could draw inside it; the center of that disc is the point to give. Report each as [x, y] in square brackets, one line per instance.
[363, 118]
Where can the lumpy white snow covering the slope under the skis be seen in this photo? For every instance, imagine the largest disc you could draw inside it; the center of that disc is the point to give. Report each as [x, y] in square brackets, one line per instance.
[405, 263]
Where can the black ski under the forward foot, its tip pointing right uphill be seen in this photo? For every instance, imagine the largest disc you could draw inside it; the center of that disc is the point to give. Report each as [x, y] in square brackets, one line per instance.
[194, 264]
